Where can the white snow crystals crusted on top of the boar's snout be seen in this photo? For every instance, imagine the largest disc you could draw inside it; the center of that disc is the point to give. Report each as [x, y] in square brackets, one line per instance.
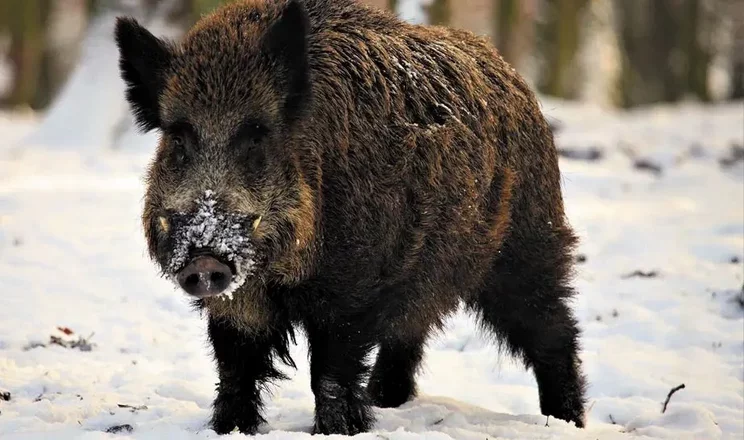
[221, 233]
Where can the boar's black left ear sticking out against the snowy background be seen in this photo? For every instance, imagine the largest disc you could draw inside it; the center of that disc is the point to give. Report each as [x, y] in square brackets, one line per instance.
[143, 60]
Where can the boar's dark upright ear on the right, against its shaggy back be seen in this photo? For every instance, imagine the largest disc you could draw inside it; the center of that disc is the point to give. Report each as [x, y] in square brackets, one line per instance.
[286, 42]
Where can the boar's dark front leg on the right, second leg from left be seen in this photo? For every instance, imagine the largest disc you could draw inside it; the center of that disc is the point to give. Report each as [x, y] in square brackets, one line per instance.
[337, 366]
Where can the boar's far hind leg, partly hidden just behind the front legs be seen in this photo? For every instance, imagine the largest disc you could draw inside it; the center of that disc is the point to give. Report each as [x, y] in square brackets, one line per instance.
[393, 380]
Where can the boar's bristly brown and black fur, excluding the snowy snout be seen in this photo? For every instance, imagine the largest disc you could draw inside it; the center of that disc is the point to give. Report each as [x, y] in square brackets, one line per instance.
[398, 170]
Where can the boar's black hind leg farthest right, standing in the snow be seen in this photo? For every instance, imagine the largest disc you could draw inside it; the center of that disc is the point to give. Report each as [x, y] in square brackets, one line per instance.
[525, 305]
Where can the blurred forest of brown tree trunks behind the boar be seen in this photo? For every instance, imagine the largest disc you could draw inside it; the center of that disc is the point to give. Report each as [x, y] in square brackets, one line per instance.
[616, 53]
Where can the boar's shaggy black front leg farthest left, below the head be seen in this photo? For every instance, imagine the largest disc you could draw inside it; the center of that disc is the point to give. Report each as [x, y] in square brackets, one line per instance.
[244, 364]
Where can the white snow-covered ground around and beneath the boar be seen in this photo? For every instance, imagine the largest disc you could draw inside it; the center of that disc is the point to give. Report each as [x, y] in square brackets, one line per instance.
[72, 255]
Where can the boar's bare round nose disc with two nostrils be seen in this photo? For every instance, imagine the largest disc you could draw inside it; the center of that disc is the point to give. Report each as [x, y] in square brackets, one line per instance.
[204, 276]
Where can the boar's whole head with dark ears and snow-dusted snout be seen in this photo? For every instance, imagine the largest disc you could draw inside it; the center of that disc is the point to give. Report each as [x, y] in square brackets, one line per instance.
[229, 197]
